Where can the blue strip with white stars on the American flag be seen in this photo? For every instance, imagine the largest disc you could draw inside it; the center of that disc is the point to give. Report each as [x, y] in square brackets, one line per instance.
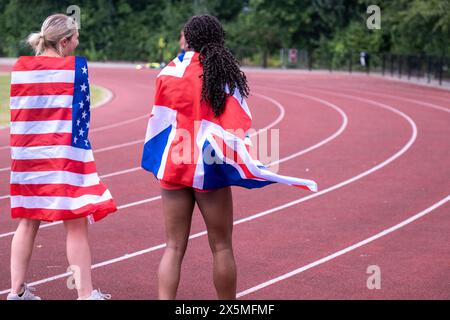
[81, 114]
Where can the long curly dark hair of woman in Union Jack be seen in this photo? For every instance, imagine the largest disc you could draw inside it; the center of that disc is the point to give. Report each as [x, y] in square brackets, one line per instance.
[205, 34]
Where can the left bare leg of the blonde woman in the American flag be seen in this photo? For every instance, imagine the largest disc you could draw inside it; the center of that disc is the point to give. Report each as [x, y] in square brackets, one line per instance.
[21, 251]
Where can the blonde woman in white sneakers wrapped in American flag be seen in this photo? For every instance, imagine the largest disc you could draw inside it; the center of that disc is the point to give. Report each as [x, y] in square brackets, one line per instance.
[53, 173]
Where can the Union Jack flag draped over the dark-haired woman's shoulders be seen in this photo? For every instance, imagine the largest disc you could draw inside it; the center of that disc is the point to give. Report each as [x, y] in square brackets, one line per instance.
[185, 144]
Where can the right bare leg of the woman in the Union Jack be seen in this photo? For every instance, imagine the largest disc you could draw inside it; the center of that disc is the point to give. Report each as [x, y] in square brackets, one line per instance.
[217, 210]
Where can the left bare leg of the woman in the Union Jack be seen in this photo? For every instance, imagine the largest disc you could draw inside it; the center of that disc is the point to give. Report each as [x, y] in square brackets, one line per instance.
[178, 206]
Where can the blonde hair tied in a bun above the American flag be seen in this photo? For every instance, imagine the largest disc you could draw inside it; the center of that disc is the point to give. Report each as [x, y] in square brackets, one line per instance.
[55, 28]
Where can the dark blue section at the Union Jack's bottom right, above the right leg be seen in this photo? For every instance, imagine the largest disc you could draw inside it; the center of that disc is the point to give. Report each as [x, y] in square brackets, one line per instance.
[219, 175]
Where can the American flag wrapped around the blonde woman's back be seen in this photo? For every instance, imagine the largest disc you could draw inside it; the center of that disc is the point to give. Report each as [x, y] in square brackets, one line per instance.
[53, 172]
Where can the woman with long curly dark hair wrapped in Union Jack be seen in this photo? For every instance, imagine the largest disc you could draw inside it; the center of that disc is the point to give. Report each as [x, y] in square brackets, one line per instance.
[197, 147]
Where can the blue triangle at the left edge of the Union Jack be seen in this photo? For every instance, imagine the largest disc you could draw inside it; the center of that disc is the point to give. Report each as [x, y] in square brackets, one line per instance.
[154, 150]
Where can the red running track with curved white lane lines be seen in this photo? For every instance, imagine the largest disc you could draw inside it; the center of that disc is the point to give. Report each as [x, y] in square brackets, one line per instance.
[378, 149]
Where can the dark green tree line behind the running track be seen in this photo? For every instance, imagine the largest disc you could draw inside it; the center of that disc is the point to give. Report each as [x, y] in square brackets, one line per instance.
[148, 30]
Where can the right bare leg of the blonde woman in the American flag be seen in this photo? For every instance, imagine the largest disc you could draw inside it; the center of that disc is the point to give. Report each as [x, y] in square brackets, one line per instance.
[79, 255]
